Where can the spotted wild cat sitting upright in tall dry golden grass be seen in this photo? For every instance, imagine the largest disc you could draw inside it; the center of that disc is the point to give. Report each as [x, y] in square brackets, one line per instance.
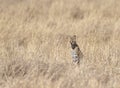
[76, 52]
